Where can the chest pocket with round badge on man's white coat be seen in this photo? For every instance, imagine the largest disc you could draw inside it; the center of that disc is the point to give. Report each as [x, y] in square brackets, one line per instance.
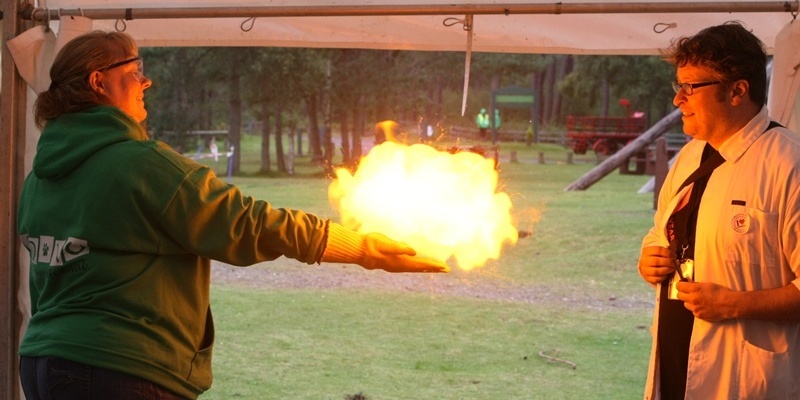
[752, 247]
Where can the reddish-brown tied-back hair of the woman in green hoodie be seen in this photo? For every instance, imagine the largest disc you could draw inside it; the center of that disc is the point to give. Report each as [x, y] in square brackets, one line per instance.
[69, 89]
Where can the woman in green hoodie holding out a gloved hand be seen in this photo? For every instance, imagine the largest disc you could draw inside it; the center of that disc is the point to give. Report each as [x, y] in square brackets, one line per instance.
[120, 230]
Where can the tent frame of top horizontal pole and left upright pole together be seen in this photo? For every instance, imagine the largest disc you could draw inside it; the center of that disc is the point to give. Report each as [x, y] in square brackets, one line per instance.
[15, 13]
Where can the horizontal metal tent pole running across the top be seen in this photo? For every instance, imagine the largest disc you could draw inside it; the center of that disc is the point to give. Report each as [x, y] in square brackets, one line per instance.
[40, 14]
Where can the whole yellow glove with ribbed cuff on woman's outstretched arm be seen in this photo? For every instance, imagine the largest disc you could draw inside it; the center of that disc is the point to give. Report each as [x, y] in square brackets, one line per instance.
[375, 251]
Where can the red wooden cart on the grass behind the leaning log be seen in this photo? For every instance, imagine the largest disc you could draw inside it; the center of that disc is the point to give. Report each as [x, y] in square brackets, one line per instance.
[604, 135]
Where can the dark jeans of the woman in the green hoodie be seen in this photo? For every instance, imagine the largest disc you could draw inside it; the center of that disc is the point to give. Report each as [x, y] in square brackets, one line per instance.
[52, 378]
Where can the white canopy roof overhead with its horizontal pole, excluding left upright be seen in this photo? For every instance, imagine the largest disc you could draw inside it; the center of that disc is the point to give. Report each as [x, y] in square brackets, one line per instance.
[516, 26]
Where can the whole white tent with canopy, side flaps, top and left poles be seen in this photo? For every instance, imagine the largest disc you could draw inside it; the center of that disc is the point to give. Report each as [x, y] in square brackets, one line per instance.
[515, 26]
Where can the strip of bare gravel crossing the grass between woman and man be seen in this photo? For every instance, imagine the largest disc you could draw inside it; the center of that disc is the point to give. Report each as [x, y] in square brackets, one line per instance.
[482, 283]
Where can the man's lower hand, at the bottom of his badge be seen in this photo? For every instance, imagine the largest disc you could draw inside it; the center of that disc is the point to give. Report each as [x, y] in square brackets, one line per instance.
[708, 301]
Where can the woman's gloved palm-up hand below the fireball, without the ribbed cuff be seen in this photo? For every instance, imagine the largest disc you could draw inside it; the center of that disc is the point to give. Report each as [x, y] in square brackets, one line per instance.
[392, 256]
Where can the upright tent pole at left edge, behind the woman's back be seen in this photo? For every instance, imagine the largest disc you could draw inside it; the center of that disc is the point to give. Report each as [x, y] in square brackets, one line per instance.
[12, 149]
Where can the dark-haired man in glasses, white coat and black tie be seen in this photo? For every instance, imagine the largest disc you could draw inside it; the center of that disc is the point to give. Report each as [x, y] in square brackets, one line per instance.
[723, 254]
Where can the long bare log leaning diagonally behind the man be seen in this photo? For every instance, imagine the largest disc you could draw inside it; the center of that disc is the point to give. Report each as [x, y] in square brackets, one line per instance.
[635, 146]
